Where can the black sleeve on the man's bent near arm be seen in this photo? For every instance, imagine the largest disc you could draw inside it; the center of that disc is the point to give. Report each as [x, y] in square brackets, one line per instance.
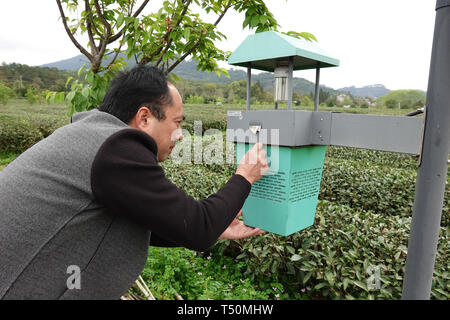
[127, 179]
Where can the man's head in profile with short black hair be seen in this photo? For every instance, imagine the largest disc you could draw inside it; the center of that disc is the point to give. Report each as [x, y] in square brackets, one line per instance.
[142, 98]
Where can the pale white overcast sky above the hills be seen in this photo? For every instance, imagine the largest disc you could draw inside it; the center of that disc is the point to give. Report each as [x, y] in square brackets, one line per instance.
[377, 42]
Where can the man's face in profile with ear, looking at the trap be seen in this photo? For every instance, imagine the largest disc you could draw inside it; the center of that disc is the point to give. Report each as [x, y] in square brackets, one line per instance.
[165, 132]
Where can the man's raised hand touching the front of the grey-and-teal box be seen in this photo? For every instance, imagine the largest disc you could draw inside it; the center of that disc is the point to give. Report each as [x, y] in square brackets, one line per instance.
[254, 164]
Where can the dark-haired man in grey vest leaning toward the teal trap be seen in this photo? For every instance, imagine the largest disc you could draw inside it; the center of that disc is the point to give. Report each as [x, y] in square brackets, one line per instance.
[86, 202]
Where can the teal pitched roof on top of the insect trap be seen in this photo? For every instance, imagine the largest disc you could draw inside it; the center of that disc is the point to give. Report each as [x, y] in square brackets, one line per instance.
[265, 48]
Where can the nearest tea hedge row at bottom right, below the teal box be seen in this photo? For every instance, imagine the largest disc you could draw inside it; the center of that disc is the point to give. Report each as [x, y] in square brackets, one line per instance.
[337, 256]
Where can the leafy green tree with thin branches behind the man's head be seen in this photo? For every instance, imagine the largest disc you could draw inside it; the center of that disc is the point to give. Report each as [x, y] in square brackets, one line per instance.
[163, 38]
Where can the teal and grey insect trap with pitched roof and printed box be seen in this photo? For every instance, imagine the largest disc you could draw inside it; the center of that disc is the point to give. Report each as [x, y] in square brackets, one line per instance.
[284, 200]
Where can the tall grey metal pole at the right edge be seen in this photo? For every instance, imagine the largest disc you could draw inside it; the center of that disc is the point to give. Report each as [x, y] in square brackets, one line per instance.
[432, 173]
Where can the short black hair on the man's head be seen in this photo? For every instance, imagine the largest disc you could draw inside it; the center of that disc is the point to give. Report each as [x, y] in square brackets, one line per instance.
[135, 88]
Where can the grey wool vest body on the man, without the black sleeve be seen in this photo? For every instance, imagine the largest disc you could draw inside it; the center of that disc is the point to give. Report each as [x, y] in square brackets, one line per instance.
[51, 225]
